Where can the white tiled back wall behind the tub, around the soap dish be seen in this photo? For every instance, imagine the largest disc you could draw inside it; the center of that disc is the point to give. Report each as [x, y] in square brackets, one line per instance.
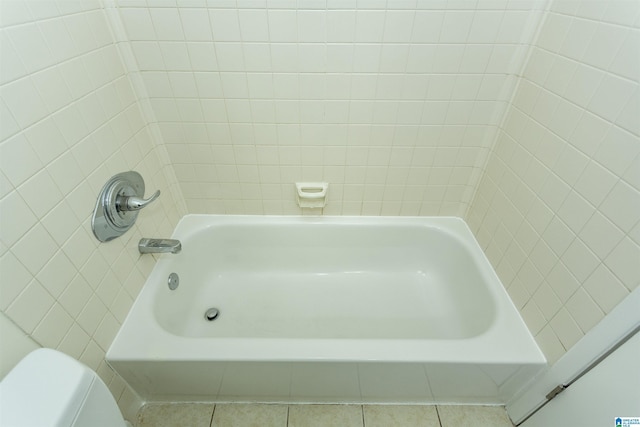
[394, 103]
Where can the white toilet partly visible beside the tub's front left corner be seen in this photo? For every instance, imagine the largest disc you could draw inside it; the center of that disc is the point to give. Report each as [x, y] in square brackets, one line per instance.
[50, 389]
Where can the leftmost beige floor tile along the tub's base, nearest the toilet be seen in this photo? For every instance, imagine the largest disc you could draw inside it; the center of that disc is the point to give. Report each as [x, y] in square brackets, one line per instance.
[175, 415]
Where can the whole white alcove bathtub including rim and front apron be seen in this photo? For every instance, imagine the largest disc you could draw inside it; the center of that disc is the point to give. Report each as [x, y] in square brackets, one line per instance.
[325, 309]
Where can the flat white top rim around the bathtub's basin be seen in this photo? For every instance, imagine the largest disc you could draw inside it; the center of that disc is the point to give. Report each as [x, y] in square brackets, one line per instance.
[521, 349]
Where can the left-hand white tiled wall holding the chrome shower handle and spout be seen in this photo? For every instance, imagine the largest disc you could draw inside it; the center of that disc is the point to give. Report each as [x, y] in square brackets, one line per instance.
[69, 120]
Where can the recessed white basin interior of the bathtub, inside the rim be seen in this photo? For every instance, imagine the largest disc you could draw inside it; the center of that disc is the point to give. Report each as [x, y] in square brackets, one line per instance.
[318, 280]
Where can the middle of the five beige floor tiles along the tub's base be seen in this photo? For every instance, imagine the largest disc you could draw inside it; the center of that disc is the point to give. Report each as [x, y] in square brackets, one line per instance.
[325, 416]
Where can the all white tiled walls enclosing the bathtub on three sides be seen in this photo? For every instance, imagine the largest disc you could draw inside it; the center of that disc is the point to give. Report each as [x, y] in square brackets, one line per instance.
[395, 103]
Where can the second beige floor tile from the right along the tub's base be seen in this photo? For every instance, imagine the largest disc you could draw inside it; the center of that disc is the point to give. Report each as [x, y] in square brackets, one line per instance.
[400, 416]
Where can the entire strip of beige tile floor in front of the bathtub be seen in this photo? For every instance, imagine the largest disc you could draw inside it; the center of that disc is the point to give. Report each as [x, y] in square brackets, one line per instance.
[275, 415]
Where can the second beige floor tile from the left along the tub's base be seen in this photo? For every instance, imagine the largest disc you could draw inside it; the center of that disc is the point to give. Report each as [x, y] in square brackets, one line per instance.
[249, 415]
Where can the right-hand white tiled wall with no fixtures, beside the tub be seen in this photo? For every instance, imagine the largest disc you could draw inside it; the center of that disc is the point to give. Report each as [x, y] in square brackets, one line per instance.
[557, 210]
